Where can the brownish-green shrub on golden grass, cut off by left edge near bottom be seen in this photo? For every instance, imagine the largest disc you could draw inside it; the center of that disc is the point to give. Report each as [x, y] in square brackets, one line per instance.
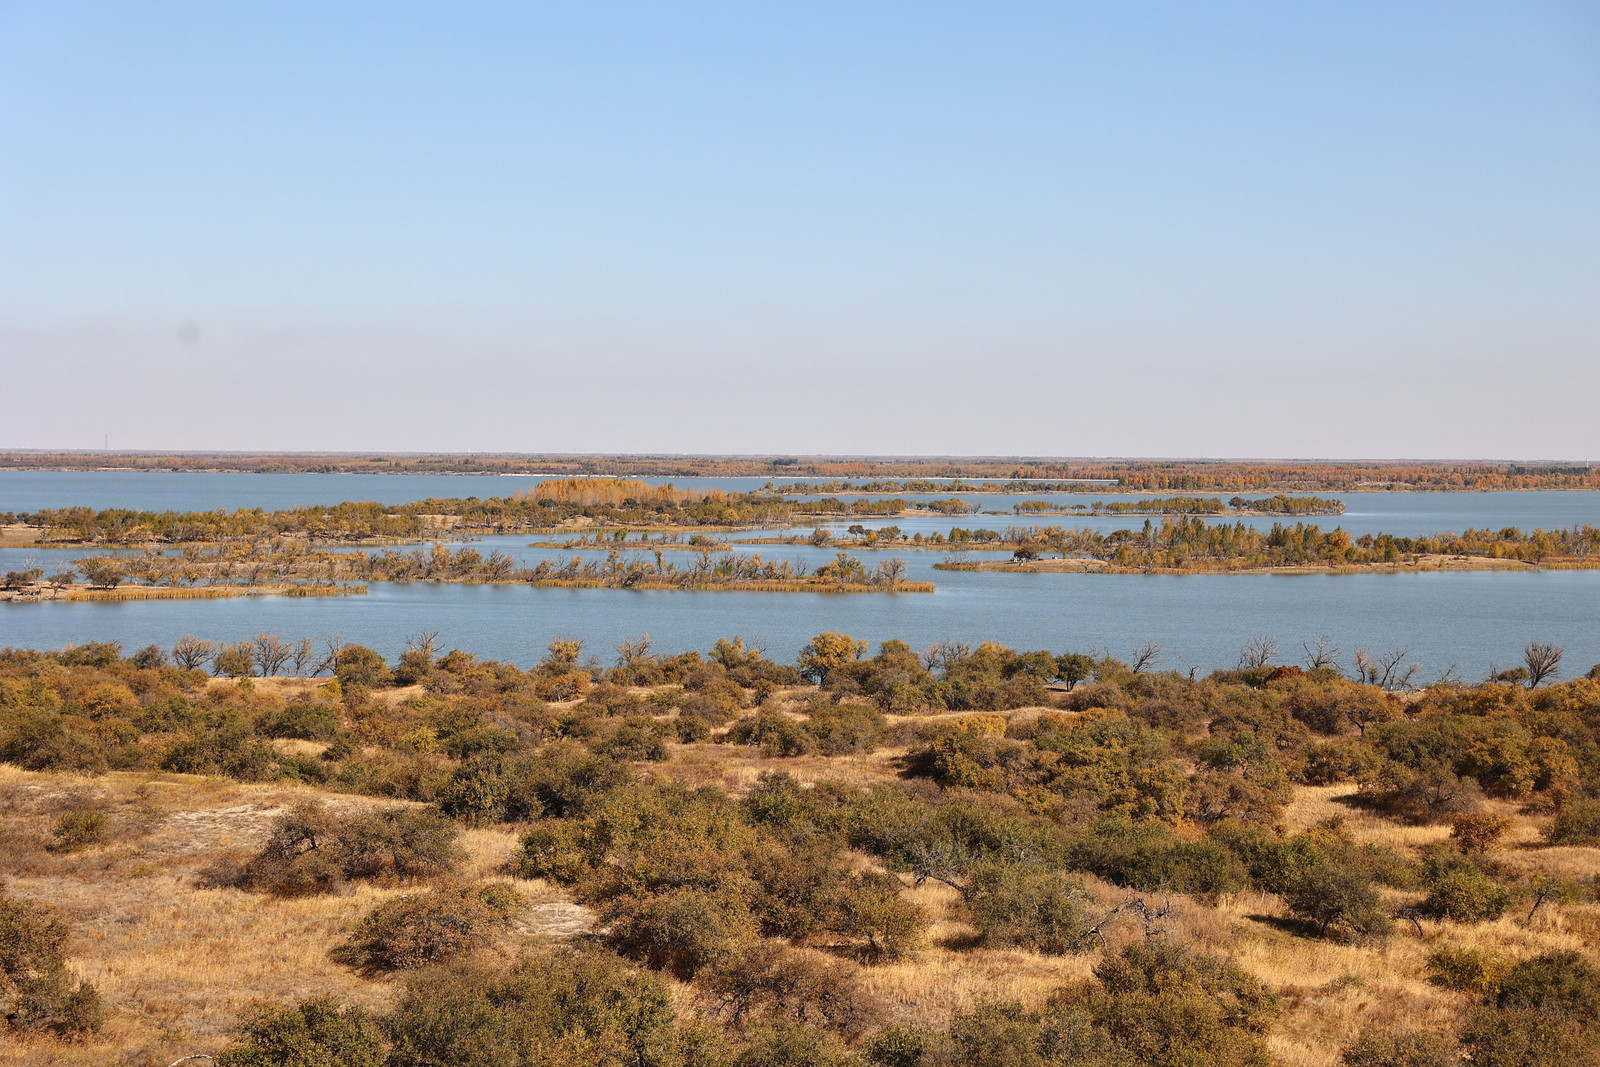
[38, 994]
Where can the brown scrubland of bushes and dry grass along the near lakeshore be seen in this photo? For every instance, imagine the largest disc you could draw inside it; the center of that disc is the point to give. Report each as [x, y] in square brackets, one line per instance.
[868, 858]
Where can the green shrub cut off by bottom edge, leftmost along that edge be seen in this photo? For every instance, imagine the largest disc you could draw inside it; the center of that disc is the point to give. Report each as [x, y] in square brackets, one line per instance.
[313, 1034]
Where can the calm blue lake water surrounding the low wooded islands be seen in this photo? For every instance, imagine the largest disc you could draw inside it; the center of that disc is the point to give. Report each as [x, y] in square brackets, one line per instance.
[1463, 620]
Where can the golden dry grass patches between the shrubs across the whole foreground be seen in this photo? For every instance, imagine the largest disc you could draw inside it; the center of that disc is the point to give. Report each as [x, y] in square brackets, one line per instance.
[178, 962]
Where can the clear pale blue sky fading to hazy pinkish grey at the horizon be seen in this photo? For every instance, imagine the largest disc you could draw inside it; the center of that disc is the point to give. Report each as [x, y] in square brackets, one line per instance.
[1046, 230]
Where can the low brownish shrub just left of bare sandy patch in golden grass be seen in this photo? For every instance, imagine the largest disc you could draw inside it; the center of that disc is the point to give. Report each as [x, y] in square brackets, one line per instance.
[425, 929]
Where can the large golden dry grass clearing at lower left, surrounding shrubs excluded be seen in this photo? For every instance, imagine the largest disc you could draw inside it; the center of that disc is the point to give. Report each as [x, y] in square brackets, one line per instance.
[177, 964]
